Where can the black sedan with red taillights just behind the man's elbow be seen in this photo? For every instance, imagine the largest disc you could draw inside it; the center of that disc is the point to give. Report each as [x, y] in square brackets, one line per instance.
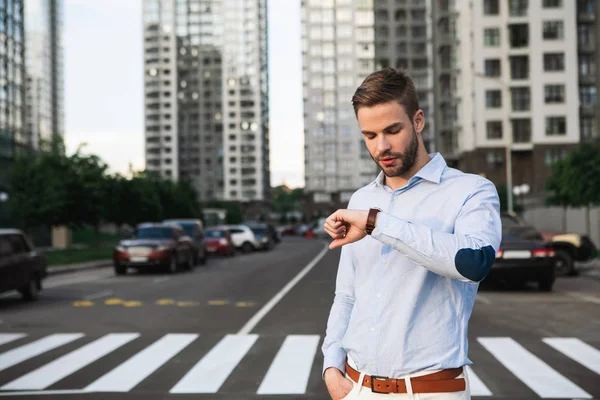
[524, 256]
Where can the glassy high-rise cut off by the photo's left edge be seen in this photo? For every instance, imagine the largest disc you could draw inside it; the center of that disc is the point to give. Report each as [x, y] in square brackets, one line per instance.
[13, 138]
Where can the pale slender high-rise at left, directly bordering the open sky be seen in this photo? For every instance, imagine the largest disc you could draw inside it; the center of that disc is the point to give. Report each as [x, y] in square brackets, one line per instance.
[44, 68]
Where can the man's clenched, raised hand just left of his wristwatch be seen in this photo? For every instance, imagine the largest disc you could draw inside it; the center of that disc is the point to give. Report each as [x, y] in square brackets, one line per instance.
[346, 226]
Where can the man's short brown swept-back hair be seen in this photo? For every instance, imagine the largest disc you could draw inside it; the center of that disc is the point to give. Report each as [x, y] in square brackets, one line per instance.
[384, 86]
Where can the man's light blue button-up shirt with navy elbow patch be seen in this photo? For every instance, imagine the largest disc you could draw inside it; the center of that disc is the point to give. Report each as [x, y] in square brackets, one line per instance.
[404, 295]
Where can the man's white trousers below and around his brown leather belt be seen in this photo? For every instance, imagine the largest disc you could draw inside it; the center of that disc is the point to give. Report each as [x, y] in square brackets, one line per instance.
[365, 393]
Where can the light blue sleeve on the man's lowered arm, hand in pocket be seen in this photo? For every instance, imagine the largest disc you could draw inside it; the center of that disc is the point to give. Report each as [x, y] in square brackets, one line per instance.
[339, 316]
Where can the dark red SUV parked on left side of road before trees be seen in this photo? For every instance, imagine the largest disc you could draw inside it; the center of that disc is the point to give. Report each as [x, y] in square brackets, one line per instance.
[161, 245]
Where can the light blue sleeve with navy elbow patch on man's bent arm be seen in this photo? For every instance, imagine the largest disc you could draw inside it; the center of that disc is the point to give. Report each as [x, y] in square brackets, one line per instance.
[466, 254]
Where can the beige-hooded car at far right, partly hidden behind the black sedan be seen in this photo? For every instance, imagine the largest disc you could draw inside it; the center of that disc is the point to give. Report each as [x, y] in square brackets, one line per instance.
[568, 248]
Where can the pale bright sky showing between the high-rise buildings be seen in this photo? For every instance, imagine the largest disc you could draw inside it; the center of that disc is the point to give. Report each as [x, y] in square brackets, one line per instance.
[104, 104]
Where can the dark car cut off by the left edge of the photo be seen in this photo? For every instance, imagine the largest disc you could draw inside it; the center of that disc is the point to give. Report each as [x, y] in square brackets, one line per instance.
[21, 267]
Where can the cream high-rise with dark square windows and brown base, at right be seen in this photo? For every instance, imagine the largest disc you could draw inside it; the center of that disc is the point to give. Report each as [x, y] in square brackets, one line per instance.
[508, 86]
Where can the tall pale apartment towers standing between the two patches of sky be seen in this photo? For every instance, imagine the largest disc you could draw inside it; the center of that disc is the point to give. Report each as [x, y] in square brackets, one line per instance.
[206, 96]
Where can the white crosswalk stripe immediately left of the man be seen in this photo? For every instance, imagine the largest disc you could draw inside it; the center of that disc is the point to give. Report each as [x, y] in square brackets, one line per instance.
[289, 371]
